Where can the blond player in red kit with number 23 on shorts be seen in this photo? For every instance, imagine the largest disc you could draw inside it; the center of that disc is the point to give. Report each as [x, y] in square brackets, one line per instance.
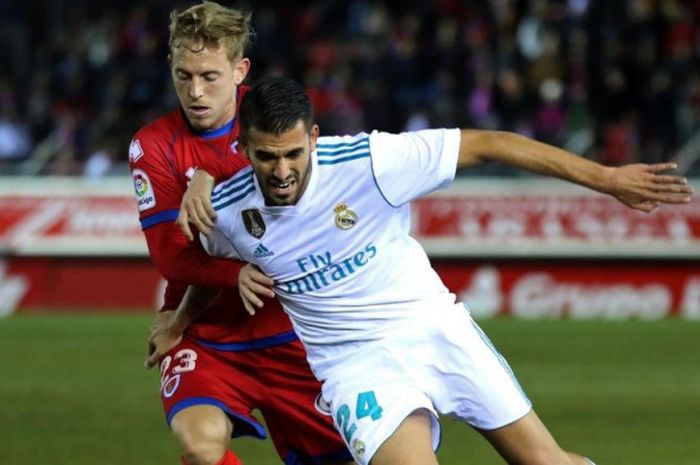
[228, 362]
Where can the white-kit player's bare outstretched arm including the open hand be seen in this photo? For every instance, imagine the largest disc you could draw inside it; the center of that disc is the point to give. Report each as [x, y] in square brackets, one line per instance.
[640, 186]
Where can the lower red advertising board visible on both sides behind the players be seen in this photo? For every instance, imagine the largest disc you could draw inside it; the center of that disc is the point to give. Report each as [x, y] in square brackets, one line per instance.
[526, 289]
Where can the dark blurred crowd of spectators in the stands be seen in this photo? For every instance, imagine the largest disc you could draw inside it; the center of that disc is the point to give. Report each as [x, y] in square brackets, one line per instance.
[617, 81]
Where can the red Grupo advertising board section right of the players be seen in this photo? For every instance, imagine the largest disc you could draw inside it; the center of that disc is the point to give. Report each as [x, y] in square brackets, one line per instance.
[582, 289]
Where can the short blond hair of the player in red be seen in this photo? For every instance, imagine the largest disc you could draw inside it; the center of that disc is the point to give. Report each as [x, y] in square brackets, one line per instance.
[210, 25]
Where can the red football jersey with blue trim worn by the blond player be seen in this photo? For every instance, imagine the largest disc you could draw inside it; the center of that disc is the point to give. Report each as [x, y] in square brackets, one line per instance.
[163, 156]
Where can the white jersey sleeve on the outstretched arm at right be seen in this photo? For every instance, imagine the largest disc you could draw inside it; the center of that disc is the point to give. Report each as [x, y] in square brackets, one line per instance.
[410, 165]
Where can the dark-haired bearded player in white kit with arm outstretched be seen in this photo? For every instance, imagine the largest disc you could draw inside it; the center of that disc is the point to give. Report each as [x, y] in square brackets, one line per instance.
[326, 218]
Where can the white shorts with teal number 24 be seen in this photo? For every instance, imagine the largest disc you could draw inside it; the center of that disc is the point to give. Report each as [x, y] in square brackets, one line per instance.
[444, 364]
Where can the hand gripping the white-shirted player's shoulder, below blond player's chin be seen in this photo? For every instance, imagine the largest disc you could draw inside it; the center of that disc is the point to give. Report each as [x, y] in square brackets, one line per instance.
[196, 206]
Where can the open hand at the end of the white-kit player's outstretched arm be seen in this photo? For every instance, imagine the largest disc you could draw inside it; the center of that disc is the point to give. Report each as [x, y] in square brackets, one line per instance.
[644, 187]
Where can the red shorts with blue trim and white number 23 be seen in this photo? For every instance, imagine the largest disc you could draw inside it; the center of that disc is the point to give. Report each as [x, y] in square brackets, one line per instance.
[276, 380]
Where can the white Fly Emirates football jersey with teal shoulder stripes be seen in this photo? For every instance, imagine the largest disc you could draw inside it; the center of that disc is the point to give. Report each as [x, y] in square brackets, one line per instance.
[345, 268]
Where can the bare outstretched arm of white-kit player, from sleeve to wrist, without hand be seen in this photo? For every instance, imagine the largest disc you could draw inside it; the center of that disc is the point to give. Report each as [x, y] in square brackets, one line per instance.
[531, 155]
